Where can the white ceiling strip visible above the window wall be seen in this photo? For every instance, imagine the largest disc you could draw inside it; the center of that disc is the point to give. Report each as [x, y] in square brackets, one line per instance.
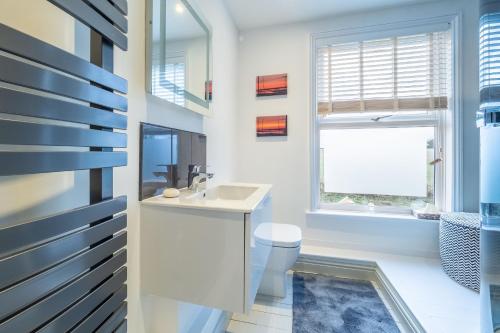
[249, 14]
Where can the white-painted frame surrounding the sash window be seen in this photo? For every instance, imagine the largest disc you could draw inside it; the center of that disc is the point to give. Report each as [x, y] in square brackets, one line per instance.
[448, 193]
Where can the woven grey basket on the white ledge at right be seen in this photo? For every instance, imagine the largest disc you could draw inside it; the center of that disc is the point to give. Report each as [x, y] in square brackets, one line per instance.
[459, 248]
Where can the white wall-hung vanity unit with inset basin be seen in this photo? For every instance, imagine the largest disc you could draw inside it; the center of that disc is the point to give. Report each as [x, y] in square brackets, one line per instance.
[199, 248]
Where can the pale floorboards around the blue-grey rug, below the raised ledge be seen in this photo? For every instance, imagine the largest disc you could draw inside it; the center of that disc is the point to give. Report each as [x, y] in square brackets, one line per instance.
[269, 314]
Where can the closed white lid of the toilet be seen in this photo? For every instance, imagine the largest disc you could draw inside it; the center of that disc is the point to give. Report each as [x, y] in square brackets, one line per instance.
[277, 234]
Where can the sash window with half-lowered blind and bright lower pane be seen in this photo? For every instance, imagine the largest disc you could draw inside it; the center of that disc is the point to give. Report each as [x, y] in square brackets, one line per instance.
[381, 121]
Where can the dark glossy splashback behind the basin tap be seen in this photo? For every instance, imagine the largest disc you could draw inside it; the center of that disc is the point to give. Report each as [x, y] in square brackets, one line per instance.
[165, 157]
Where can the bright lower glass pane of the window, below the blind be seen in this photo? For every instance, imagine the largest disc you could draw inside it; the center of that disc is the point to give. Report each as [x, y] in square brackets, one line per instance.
[380, 166]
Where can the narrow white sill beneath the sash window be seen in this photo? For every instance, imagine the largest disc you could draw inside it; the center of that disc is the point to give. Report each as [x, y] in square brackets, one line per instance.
[365, 216]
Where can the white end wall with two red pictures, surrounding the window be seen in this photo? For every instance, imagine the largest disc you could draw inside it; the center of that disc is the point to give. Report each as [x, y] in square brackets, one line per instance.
[284, 162]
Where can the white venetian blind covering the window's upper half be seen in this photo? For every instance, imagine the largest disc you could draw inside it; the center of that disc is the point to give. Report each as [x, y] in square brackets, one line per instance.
[399, 73]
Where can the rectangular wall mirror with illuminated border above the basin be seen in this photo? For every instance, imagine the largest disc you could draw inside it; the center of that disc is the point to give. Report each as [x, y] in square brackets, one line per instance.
[178, 51]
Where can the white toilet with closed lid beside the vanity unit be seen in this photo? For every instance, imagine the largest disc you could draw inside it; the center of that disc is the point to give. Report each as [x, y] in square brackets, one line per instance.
[284, 241]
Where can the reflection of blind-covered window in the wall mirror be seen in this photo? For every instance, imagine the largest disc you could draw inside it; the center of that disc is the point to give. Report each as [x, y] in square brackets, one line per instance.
[169, 79]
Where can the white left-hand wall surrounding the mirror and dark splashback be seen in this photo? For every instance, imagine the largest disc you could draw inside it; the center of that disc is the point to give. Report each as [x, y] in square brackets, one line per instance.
[218, 128]
